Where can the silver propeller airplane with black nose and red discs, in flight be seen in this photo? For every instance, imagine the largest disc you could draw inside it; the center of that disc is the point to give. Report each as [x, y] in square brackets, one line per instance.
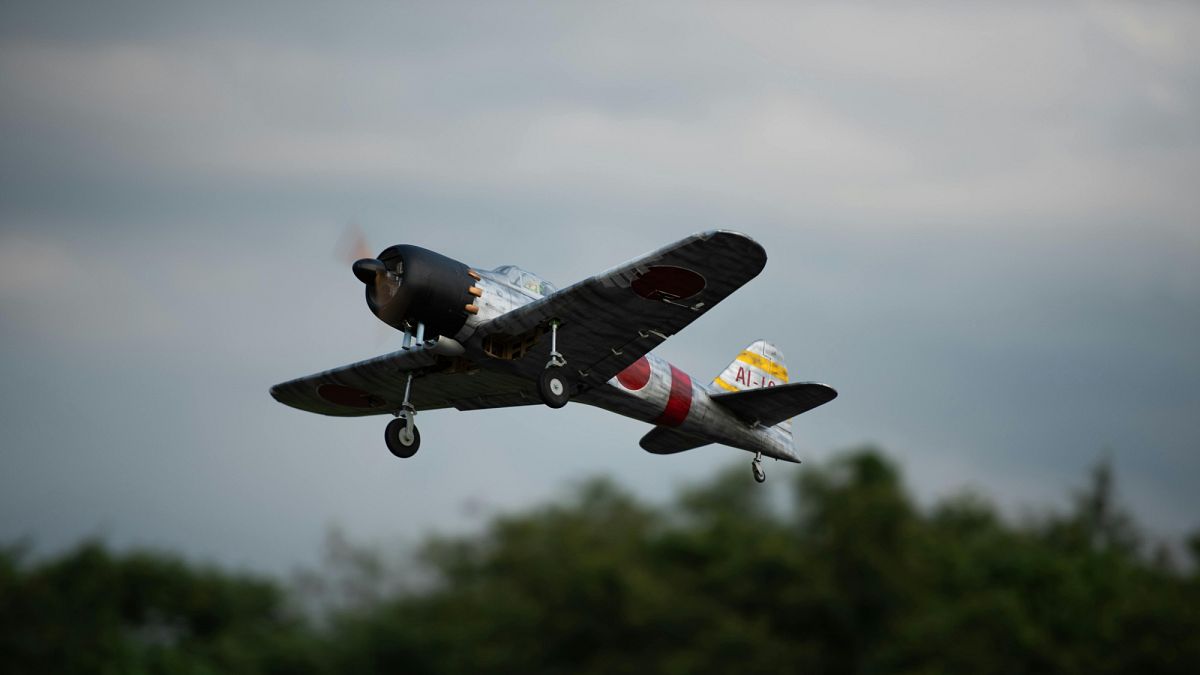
[479, 339]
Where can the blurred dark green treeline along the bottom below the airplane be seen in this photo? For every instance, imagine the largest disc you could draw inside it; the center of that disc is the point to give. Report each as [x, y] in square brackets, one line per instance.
[854, 578]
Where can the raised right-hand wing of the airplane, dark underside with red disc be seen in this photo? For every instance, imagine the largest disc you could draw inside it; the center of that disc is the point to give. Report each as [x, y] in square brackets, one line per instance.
[611, 320]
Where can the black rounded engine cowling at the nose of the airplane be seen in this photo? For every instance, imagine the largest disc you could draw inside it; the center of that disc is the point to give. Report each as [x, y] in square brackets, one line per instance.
[409, 284]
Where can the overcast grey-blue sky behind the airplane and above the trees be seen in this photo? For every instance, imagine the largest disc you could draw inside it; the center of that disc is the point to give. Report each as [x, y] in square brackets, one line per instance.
[983, 228]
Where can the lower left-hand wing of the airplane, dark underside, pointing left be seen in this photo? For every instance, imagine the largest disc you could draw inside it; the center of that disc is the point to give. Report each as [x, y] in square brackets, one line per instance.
[377, 386]
